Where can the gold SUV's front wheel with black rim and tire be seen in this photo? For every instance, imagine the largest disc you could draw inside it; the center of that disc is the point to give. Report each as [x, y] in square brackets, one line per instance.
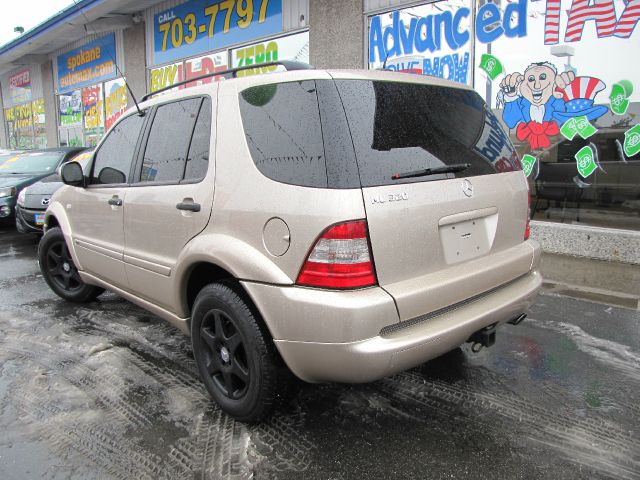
[60, 272]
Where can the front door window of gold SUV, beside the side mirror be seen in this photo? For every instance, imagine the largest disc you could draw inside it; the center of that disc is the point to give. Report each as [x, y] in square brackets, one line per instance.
[113, 159]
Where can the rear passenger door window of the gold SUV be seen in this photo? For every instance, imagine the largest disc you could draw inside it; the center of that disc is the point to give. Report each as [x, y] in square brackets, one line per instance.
[168, 141]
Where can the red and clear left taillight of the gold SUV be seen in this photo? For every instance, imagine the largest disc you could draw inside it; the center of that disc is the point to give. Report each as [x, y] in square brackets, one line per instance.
[340, 258]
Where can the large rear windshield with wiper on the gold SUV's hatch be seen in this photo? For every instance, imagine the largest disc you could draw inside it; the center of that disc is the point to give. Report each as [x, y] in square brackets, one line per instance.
[402, 127]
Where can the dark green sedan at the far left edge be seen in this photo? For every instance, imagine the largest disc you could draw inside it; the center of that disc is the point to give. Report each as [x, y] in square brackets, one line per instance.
[27, 168]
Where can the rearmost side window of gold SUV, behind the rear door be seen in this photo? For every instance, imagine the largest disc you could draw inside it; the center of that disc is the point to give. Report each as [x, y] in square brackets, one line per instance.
[282, 128]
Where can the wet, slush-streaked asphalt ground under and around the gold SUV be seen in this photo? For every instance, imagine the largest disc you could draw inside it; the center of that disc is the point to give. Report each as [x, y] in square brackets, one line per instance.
[107, 390]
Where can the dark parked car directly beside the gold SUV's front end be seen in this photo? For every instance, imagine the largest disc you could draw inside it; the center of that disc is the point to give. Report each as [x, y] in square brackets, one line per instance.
[34, 200]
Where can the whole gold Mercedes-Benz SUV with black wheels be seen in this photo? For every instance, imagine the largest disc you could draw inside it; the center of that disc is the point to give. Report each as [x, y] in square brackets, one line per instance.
[338, 225]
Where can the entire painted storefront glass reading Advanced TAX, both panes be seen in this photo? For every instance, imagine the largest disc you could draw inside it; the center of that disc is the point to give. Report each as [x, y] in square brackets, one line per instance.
[560, 75]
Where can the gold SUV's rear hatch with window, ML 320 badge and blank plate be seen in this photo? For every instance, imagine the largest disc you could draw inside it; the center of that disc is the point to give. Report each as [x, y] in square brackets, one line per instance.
[443, 238]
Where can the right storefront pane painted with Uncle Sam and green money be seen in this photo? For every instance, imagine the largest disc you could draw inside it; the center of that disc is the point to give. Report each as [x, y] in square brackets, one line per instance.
[569, 92]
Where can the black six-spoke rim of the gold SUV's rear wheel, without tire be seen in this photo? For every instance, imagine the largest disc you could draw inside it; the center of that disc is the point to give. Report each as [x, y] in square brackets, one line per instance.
[225, 354]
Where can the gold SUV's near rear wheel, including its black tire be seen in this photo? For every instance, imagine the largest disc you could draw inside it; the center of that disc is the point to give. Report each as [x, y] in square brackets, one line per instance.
[236, 358]
